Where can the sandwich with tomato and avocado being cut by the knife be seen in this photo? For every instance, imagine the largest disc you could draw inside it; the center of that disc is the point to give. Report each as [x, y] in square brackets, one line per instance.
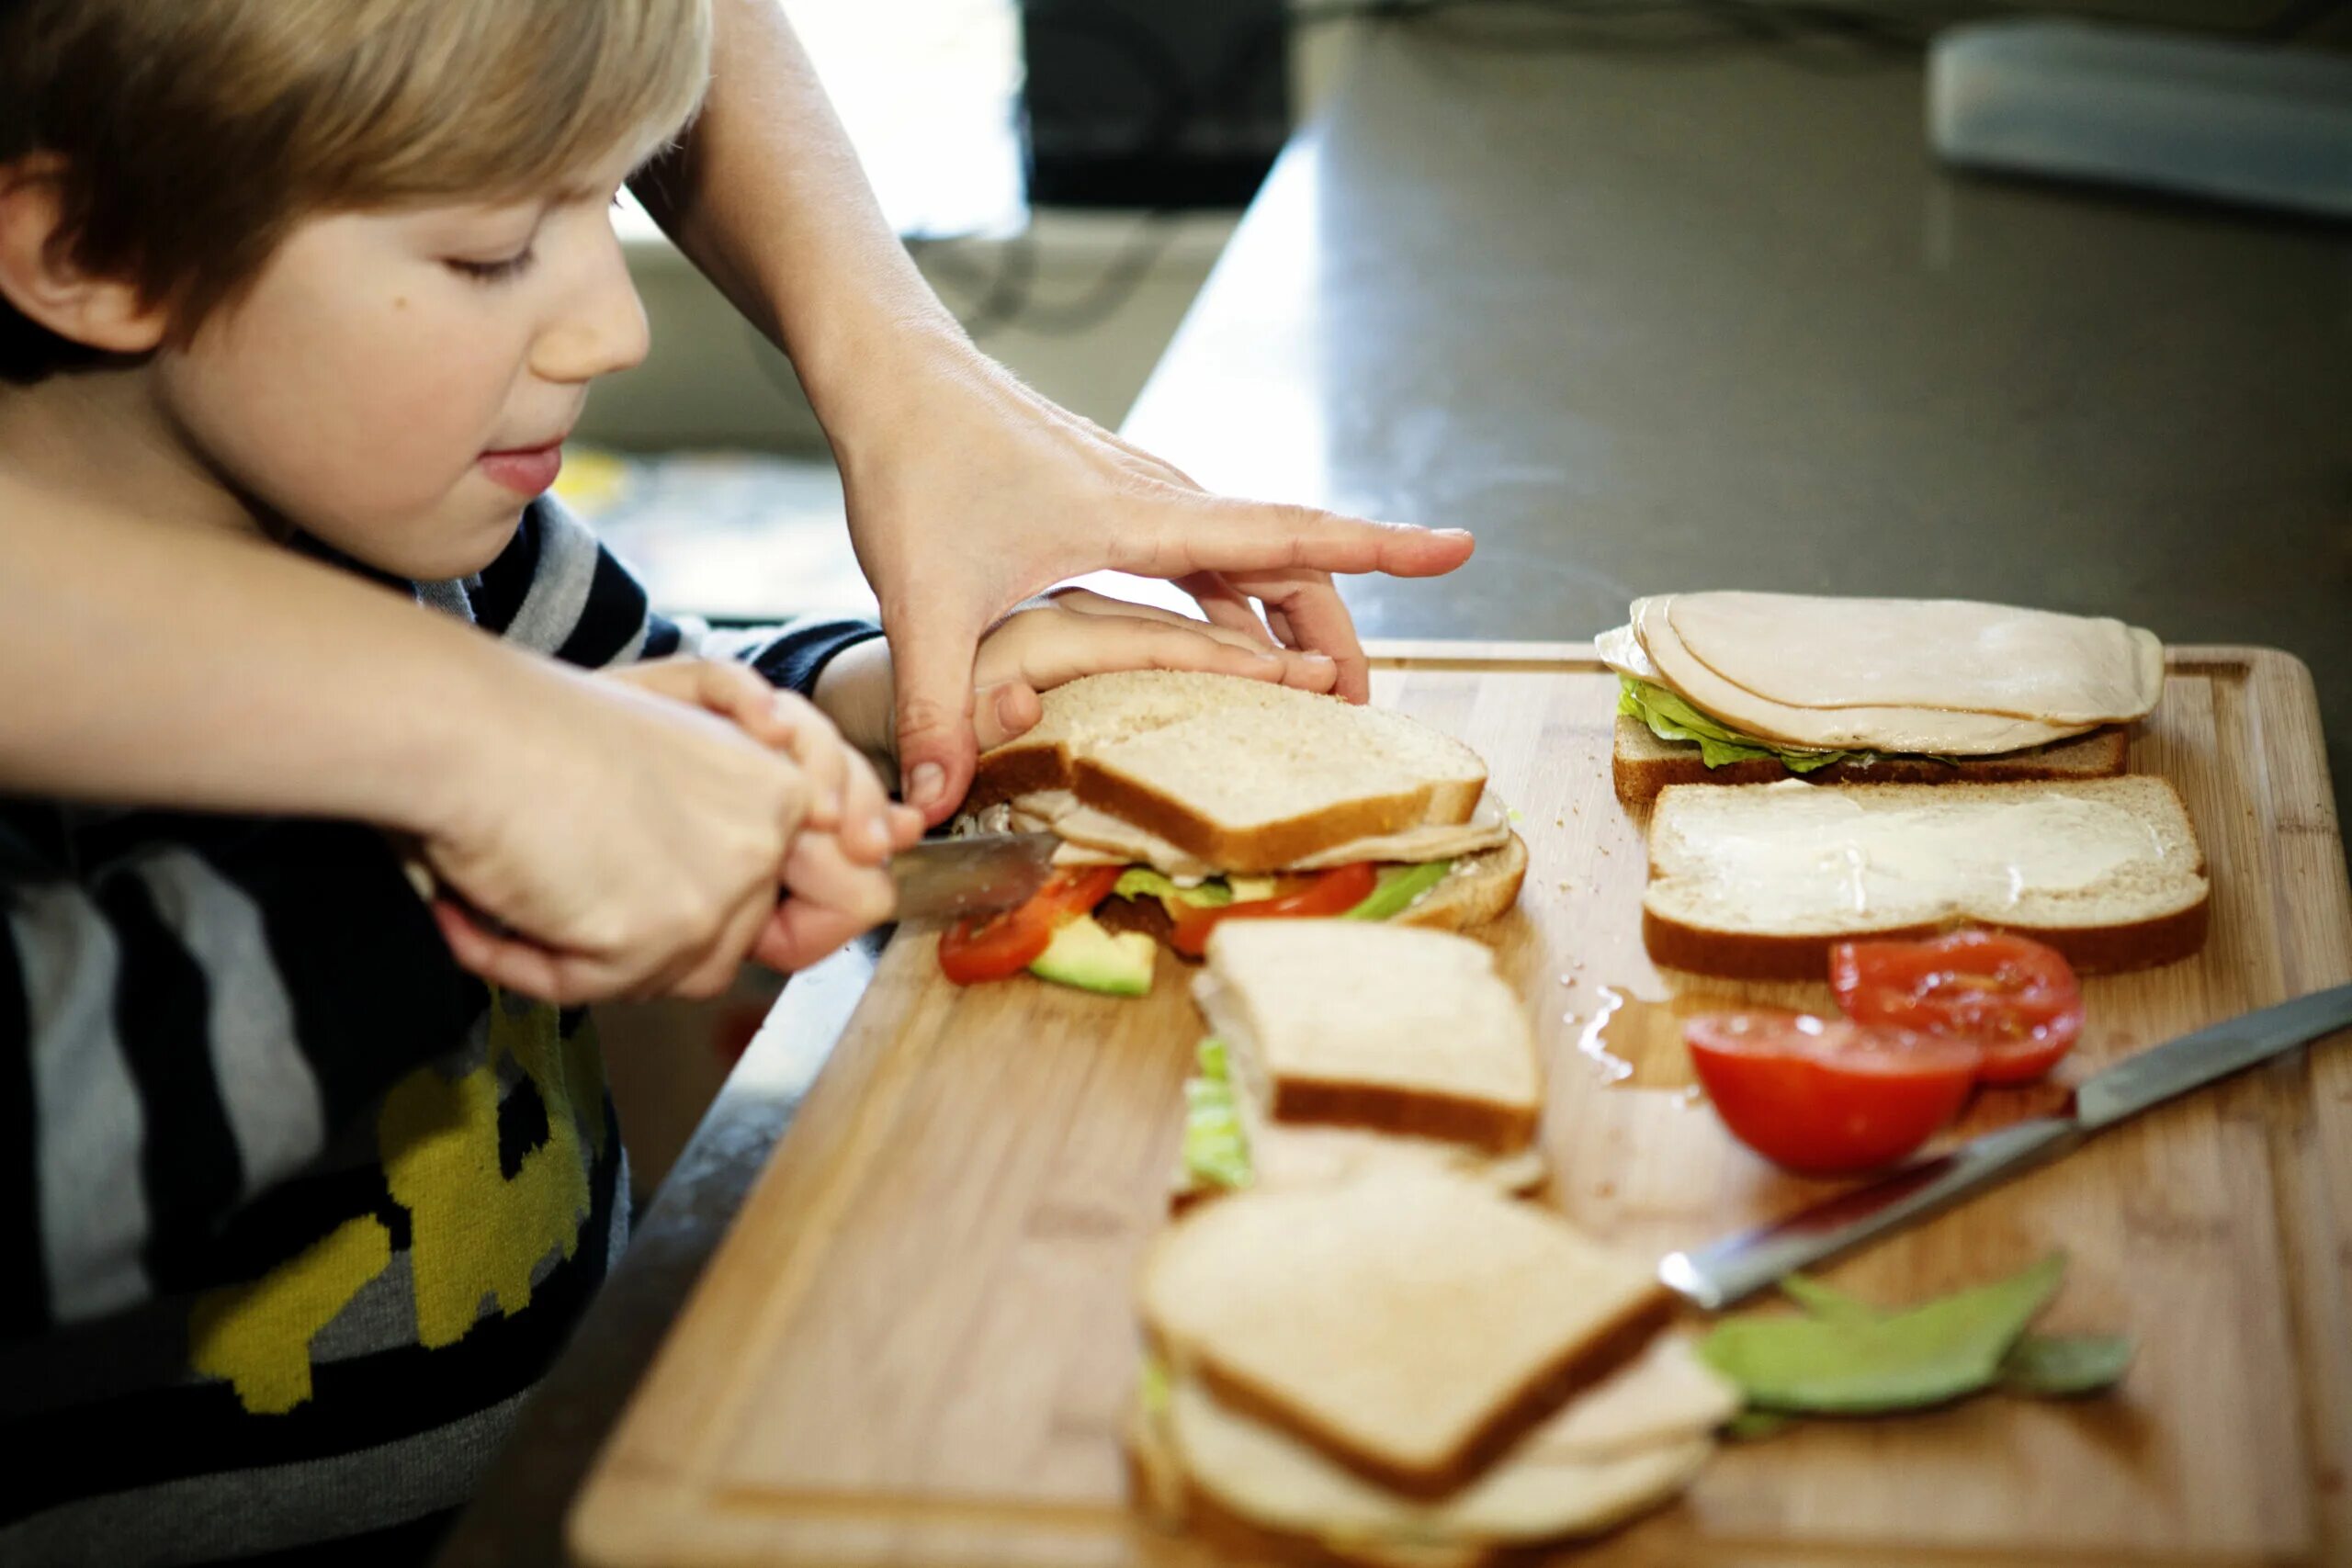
[1189, 800]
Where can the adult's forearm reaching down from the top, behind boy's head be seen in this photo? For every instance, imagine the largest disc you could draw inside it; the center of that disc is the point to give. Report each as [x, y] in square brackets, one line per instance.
[770, 203]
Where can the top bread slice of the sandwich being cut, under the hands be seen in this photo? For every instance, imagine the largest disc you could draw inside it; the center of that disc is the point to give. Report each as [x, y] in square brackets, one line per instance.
[1241, 775]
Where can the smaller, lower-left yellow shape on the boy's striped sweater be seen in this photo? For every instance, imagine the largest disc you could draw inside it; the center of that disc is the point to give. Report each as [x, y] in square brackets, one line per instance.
[258, 1336]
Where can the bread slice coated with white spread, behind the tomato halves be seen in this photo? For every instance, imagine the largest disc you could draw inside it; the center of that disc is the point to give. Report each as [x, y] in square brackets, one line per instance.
[1760, 880]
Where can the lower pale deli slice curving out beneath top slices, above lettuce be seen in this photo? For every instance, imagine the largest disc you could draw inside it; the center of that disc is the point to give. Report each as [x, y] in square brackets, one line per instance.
[1935, 732]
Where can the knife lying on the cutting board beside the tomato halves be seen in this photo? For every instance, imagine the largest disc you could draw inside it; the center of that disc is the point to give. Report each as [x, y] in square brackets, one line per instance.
[1744, 1264]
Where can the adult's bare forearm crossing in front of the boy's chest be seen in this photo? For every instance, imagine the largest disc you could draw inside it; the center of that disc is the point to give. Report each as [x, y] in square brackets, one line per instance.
[187, 669]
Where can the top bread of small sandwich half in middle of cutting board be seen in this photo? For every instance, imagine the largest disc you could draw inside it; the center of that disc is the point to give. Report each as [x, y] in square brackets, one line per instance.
[1375, 1026]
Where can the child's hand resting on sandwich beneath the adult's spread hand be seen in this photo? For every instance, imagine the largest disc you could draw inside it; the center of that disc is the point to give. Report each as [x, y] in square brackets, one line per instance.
[1078, 631]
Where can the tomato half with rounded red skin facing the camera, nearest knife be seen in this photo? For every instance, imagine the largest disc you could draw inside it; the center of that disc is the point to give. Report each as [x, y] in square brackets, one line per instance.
[1829, 1097]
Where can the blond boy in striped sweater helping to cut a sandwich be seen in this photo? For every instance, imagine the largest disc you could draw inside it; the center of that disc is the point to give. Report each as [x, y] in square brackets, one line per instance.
[293, 1212]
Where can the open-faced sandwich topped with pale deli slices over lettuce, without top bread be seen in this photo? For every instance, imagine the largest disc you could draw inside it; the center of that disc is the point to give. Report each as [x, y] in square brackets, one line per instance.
[1758, 688]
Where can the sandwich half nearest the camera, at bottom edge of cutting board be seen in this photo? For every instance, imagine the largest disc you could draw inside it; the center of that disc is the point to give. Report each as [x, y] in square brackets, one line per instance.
[1408, 1369]
